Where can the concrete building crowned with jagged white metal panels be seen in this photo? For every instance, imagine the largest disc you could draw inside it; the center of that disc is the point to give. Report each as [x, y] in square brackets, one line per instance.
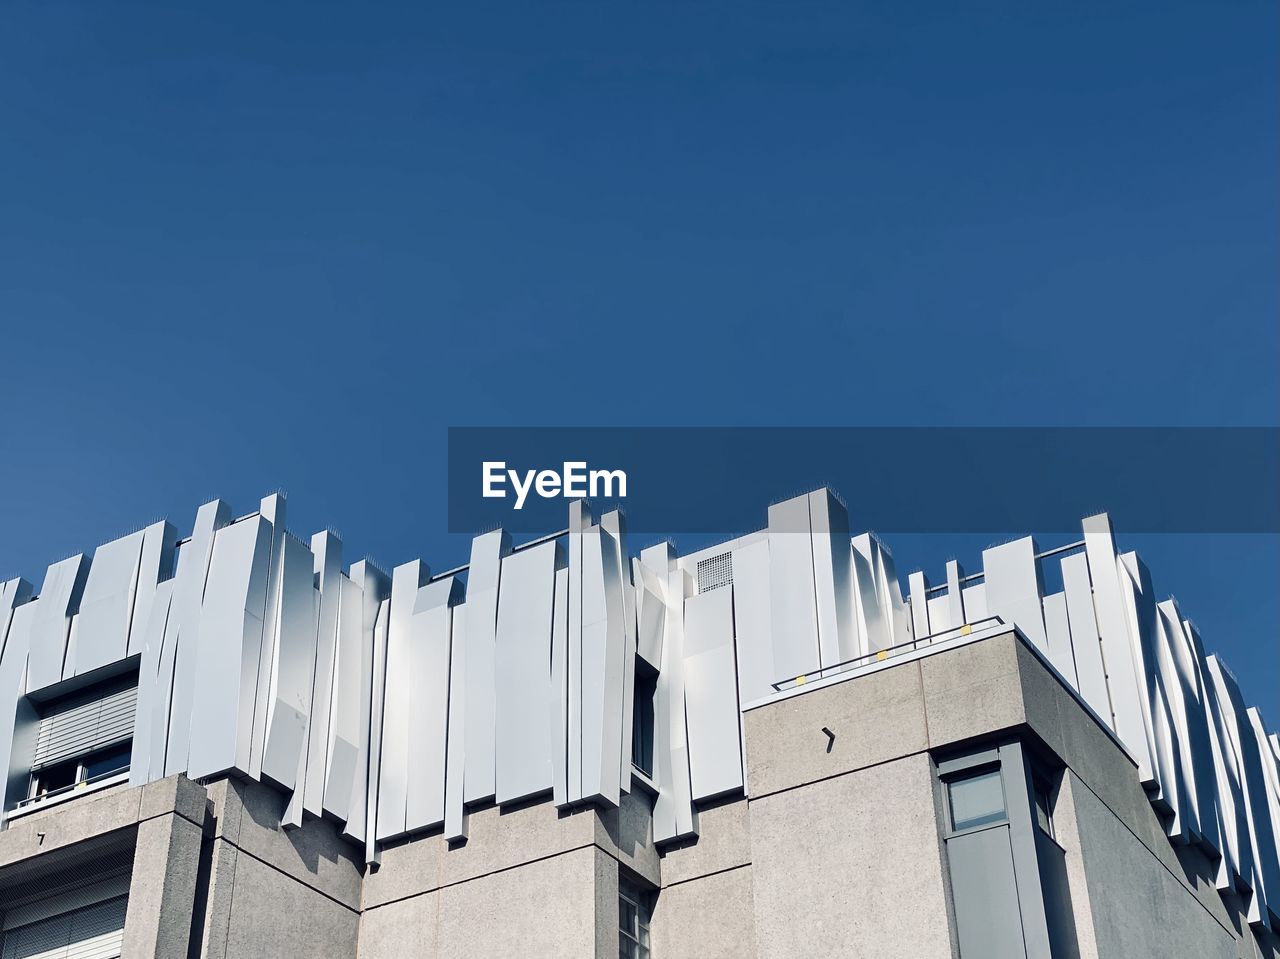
[232, 745]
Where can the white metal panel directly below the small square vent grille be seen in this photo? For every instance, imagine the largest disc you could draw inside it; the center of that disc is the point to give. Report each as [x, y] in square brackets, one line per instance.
[711, 696]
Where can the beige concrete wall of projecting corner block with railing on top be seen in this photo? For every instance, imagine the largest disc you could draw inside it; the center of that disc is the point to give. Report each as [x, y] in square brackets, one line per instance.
[842, 815]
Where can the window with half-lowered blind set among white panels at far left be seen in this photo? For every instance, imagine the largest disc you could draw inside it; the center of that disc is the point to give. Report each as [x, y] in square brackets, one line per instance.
[84, 738]
